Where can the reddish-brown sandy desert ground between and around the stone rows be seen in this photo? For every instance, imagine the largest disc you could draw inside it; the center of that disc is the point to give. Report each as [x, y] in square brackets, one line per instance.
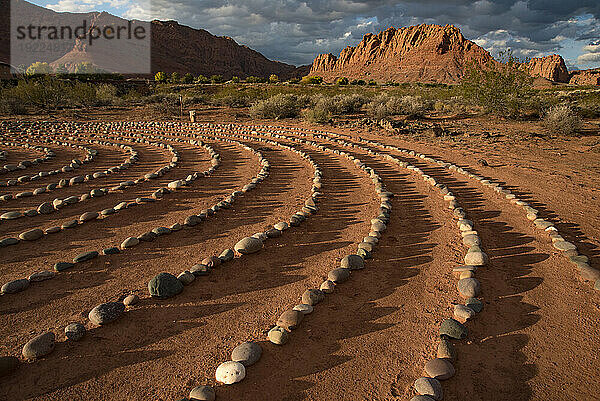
[536, 339]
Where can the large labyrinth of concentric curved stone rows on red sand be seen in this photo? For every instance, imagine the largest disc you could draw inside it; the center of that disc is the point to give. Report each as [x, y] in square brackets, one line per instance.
[178, 261]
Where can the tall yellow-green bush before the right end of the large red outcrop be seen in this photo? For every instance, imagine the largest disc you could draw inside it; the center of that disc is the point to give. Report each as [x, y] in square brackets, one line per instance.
[500, 88]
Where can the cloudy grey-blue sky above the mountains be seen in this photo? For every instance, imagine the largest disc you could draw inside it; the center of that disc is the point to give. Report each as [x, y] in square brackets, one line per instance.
[295, 31]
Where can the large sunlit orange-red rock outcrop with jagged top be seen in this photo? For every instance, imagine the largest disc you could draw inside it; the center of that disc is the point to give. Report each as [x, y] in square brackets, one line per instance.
[422, 53]
